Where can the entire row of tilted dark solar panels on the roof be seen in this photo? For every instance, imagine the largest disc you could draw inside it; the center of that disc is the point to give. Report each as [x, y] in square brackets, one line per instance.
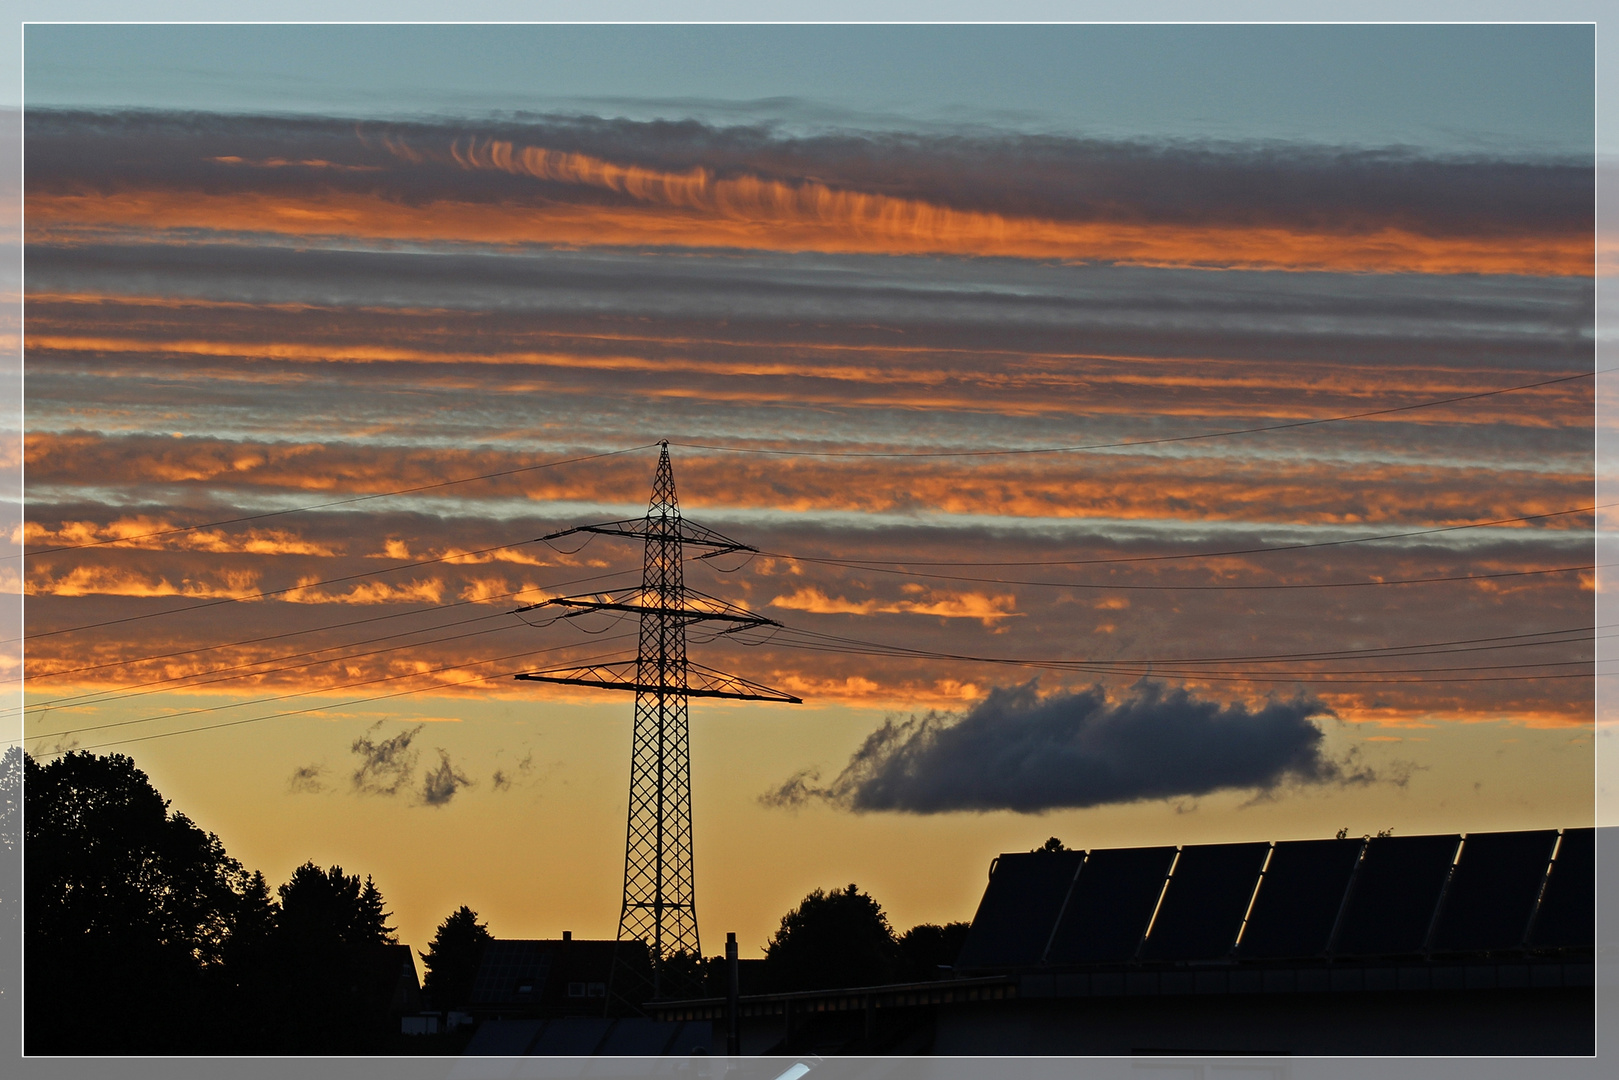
[1290, 901]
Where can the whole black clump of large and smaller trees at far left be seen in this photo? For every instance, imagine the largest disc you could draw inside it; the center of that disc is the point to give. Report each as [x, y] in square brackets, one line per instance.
[147, 938]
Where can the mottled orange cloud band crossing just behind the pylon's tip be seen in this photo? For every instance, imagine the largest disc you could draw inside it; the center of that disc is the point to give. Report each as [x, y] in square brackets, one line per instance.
[1058, 487]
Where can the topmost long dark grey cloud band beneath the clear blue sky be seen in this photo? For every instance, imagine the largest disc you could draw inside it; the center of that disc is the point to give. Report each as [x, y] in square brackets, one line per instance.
[1170, 182]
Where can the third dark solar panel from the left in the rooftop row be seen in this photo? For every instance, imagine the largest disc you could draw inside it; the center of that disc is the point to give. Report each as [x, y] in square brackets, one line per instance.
[1205, 903]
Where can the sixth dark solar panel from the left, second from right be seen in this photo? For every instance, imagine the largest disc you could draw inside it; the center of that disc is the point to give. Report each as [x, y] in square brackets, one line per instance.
[1492, 893]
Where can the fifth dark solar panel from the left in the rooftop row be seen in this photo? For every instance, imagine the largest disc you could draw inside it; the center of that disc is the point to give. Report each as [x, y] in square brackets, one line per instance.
[1395, 895]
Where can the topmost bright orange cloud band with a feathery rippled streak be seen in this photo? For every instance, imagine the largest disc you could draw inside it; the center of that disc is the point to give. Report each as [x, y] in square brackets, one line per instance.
[697, 211]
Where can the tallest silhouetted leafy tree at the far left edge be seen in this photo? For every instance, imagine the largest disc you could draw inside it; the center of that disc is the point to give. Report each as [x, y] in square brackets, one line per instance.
[129, 906]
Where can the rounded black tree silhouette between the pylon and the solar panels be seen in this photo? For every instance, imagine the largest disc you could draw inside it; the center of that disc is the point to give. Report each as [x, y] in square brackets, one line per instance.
[838, 938]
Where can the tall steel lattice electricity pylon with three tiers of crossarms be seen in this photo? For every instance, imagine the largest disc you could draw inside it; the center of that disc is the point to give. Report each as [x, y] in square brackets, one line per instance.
[660, 898]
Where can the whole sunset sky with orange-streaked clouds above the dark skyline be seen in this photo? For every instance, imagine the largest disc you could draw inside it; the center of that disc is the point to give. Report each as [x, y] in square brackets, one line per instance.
[1150, 435]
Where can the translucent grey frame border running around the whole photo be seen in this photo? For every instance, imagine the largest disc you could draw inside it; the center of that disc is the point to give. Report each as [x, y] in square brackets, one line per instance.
[867, 11]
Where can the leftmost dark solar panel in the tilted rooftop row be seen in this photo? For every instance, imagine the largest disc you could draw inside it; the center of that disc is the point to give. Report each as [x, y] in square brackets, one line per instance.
[1022, 903]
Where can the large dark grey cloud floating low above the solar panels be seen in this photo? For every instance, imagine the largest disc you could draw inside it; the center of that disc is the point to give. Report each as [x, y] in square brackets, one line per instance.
[1018, 750]
